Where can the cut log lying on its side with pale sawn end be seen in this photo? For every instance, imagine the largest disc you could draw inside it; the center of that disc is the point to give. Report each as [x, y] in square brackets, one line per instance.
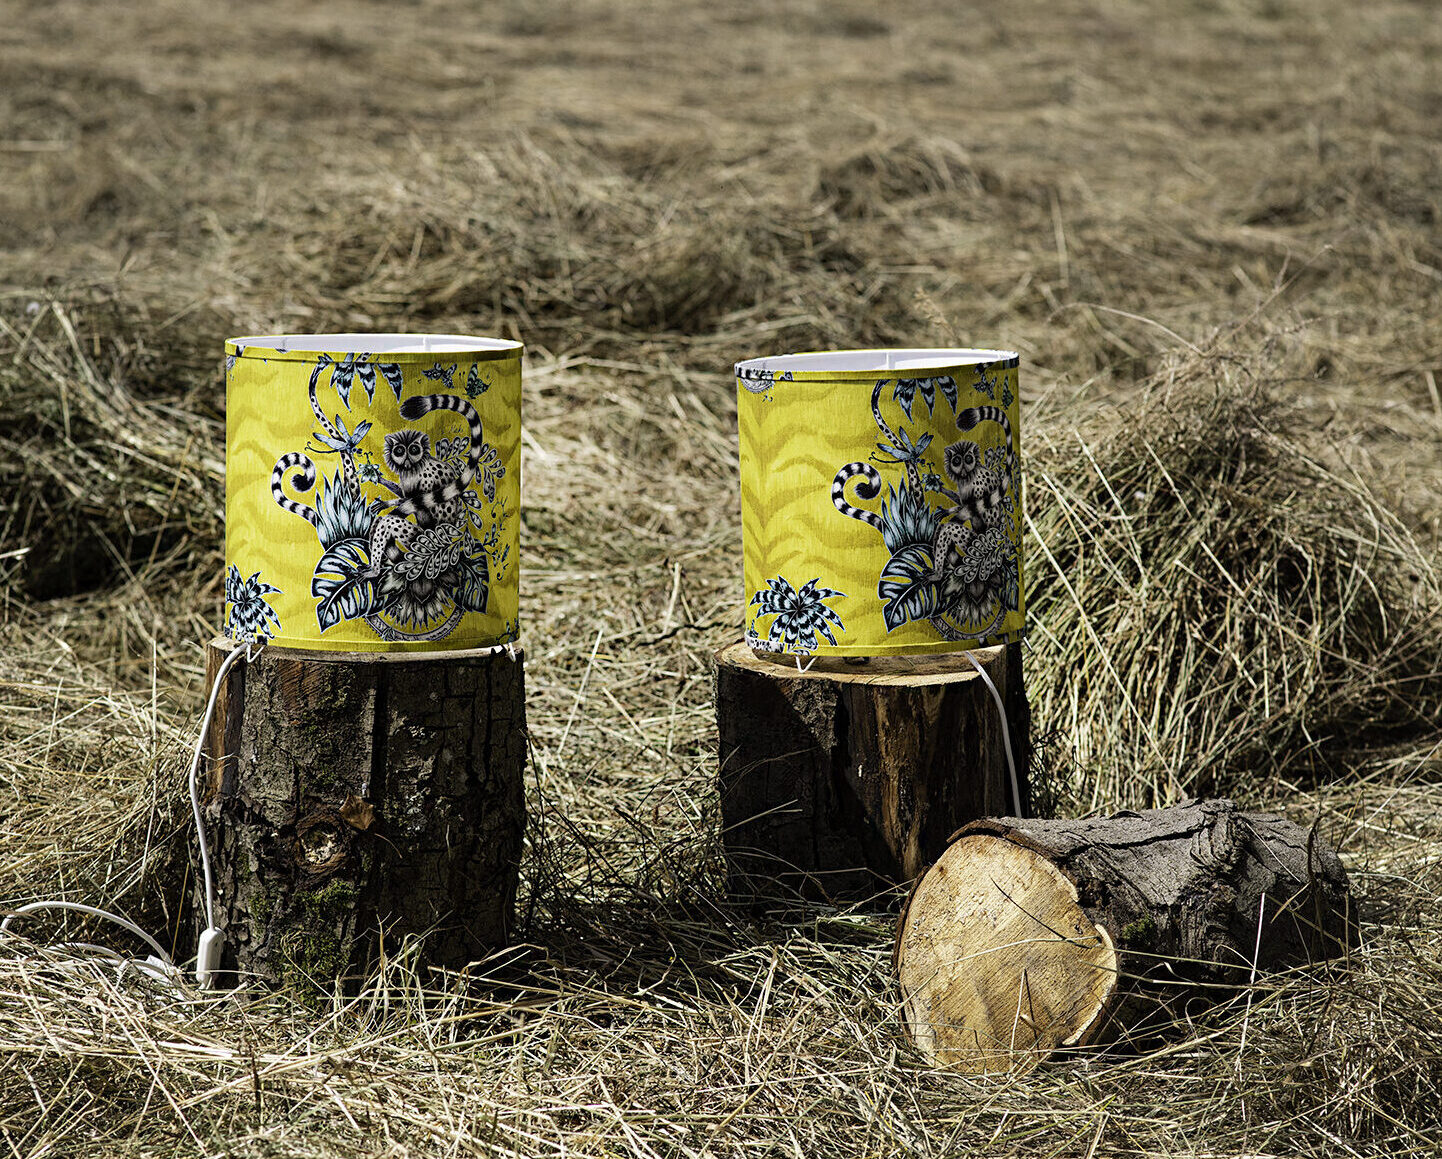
[1032, 936]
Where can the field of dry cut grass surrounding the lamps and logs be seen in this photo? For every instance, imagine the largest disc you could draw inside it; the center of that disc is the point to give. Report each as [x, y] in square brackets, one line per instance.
[1213, 228]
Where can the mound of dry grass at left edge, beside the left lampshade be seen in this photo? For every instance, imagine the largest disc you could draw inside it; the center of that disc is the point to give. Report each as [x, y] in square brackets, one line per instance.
[115, 474]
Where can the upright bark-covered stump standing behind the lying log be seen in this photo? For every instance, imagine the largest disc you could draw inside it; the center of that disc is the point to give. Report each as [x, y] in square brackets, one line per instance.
[849, 779]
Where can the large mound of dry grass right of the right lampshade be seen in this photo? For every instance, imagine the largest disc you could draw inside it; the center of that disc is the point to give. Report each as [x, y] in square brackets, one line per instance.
[1215, 595]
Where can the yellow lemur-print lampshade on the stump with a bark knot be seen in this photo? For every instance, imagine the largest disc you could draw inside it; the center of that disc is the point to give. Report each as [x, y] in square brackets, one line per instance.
[373, 491]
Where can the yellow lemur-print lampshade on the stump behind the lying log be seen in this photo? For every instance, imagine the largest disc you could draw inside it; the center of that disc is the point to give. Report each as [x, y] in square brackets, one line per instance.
[882, 501]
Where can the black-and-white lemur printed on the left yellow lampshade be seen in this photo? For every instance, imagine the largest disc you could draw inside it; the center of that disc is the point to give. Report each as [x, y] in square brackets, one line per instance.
[428, 488]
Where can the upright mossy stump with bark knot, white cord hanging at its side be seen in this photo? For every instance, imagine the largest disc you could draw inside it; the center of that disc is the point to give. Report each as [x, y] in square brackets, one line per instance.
[358, 798]
